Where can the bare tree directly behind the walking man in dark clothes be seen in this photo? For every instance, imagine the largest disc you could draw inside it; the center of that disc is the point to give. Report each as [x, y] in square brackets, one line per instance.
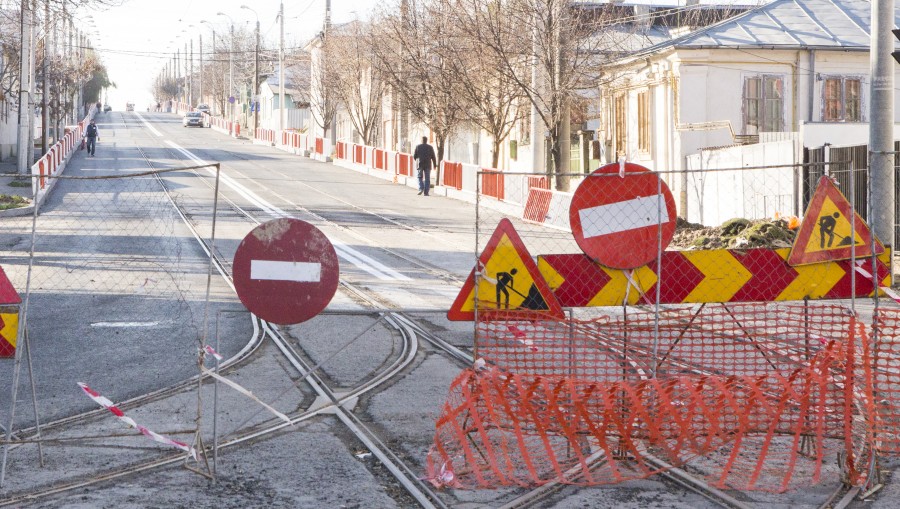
[412, 51]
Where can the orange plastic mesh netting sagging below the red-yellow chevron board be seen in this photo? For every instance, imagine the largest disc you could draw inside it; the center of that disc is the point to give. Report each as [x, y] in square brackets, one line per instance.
[754, 396]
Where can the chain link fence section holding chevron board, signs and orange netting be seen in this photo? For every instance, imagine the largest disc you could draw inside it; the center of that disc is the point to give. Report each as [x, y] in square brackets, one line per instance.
[610, 330]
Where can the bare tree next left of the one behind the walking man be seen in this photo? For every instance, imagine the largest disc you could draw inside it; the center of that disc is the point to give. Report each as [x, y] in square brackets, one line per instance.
[357, 82]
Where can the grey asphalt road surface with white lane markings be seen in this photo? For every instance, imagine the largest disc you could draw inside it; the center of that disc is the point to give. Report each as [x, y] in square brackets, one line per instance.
[118, 301]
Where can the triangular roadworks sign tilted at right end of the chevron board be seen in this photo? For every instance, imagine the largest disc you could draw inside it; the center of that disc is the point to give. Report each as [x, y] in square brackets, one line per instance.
[826, 233]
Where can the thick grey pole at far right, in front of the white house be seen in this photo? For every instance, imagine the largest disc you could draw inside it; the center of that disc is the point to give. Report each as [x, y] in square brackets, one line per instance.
[881, 124]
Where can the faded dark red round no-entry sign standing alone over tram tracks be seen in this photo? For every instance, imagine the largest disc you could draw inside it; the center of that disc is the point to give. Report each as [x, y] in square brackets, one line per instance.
[285, 271]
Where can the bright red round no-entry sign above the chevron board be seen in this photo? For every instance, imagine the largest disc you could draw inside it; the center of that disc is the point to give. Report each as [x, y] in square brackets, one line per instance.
[617, 216]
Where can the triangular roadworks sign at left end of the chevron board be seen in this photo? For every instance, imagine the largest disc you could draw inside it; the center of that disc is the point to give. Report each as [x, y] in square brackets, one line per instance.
[509, 279]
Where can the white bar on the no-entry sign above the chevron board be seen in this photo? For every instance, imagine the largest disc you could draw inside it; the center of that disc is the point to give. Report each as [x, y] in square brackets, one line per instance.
[623, 216]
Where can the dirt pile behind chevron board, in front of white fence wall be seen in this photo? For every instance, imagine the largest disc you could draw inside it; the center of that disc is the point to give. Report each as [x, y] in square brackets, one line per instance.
[735, 233]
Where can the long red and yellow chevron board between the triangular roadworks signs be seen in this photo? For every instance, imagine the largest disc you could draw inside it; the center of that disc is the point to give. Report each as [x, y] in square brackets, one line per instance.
[719, 275]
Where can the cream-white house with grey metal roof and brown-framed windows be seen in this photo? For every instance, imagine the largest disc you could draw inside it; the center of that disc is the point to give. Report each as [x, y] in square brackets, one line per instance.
[791, 66]
